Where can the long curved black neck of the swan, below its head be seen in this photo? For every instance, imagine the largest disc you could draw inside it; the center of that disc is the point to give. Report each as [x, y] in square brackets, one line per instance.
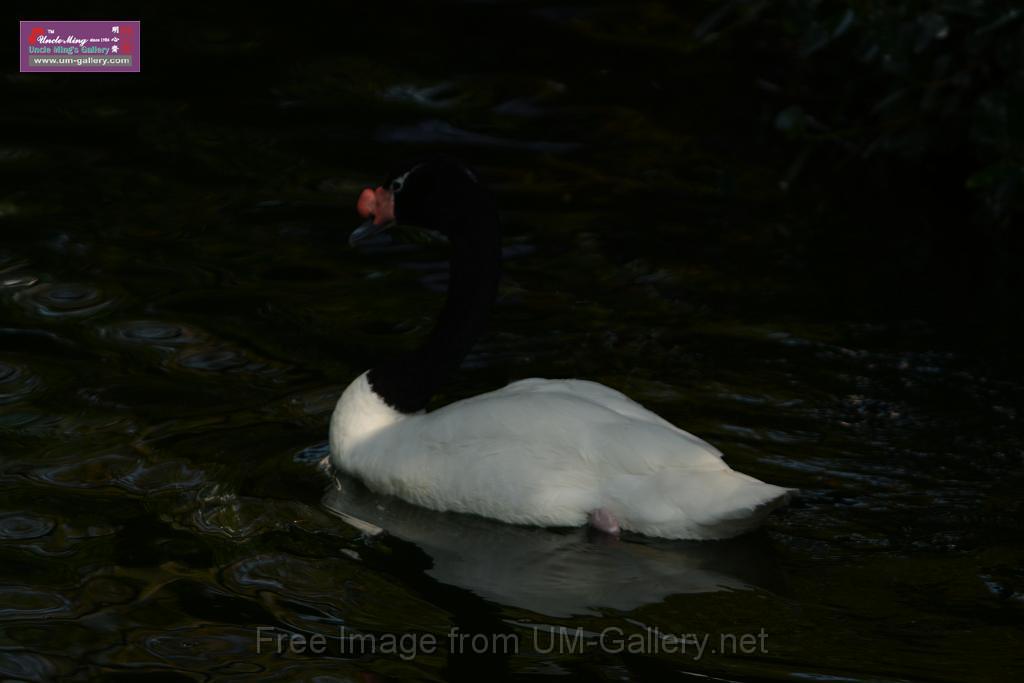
[408, 382]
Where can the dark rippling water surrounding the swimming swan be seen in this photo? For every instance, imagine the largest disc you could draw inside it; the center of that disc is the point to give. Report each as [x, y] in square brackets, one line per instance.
[181, 312]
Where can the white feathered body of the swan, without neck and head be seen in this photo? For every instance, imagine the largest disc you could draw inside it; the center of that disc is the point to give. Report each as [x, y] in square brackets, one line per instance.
[548, 453]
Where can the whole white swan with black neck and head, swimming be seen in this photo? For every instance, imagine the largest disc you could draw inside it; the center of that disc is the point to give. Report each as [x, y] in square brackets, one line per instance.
[548, 453]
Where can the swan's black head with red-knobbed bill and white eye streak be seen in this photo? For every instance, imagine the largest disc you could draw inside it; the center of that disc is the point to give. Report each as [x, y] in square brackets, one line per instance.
[438, 194]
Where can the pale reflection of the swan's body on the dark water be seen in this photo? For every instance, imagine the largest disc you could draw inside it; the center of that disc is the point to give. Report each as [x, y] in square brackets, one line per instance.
[558, 573]
